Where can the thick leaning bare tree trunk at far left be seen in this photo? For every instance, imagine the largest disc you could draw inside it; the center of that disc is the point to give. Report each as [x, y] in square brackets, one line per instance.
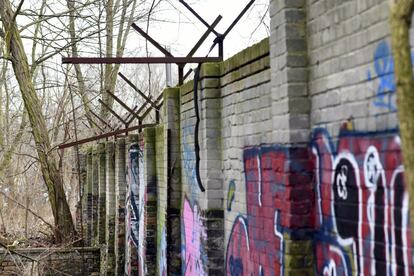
[64, 229]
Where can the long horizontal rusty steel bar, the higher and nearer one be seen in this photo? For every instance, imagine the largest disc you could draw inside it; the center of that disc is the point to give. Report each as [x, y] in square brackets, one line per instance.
[138, 60]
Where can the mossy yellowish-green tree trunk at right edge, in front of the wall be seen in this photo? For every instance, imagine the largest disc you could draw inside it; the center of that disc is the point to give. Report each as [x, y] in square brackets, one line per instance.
[400, 20]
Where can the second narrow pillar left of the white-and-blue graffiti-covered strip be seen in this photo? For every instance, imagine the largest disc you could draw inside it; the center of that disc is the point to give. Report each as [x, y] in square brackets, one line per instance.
[110, 209]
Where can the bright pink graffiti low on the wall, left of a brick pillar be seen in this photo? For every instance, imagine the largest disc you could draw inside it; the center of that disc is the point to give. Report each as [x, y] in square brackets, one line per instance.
[193, 238]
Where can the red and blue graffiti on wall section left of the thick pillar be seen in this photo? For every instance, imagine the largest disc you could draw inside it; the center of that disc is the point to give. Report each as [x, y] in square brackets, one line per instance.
[256, 243]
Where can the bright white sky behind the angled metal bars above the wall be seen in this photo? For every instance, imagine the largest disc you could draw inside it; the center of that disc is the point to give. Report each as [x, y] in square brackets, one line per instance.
[179, 29]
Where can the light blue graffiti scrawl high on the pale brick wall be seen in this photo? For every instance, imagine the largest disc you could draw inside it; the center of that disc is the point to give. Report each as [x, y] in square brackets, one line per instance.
[384, 72]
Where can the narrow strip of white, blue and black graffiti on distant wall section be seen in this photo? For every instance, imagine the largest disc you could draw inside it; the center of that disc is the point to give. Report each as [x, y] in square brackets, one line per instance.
[135, 225]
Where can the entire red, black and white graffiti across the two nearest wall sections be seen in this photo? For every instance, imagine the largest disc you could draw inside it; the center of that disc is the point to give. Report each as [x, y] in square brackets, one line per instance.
[360, 206]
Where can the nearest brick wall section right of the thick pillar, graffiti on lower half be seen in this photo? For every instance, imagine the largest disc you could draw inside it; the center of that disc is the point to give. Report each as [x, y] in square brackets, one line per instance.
[361, 211]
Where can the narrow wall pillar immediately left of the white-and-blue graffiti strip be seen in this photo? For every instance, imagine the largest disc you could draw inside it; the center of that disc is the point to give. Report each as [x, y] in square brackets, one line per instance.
[120, 191]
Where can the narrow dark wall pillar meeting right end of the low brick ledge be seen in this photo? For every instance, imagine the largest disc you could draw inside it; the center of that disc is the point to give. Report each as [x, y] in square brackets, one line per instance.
[102, 193]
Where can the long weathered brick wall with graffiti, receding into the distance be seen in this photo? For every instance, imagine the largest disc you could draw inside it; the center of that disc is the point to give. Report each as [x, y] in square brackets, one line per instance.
[294, 165]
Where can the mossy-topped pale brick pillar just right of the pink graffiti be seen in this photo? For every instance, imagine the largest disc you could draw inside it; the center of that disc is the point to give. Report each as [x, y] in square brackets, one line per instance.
[211, 166]
